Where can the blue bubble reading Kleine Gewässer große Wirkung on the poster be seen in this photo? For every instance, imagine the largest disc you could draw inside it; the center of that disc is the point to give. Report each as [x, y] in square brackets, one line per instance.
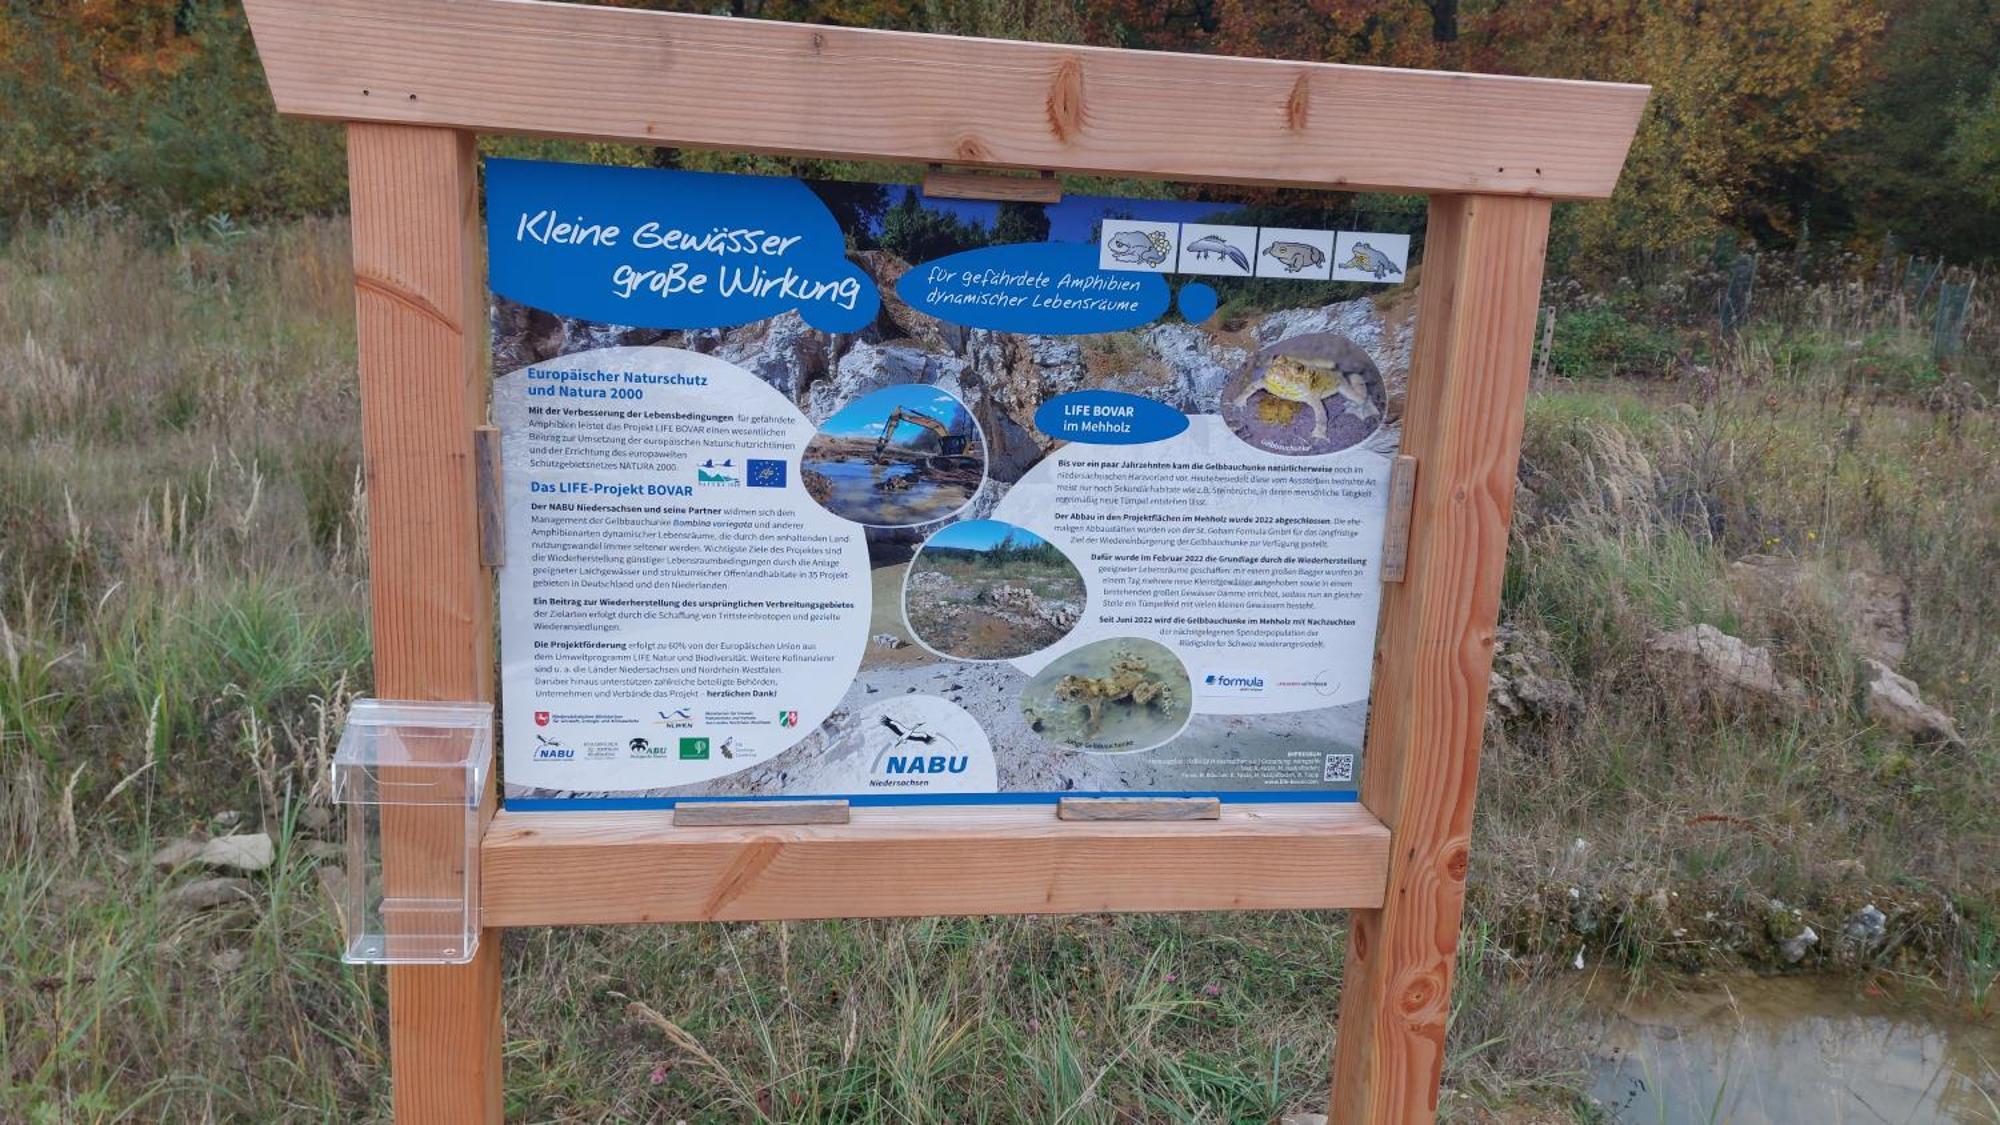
[667, 249]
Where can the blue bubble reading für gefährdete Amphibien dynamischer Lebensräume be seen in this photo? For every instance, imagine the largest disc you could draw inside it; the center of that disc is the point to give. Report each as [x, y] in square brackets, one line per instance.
[1053, 289]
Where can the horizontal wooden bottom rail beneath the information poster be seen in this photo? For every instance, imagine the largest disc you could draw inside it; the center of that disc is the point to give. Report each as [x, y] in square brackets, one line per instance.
[635, 868]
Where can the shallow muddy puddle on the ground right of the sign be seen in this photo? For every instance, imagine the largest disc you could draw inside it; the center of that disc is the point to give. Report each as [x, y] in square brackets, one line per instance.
[1767, 1052]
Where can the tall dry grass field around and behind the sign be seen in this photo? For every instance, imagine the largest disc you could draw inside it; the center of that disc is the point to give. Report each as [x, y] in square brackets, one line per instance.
[183, 616]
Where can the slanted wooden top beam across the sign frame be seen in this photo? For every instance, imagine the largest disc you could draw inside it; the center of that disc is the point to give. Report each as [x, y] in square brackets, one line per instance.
[865, 95]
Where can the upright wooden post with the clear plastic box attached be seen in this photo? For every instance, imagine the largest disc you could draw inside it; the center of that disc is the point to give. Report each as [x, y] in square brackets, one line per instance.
[421, 327]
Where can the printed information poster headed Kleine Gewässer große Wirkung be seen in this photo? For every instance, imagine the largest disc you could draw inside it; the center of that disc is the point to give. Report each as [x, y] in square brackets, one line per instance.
[829, 489]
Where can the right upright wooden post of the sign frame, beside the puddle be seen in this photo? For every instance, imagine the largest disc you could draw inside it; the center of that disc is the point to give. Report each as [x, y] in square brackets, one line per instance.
[1469, 383]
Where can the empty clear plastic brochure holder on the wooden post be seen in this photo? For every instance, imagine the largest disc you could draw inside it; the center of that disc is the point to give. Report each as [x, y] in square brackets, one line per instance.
[413, 774]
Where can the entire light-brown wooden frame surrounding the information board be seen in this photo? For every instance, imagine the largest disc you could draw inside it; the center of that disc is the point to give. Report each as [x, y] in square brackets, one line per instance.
[417, 79]
